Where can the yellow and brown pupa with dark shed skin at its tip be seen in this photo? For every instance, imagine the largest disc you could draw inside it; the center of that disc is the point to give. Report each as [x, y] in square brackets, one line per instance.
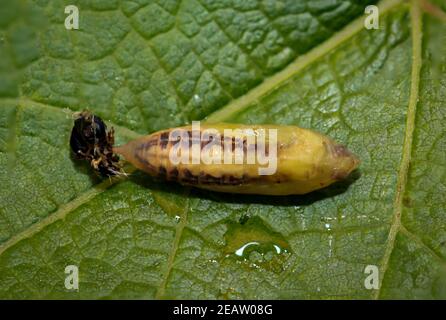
[235, 158]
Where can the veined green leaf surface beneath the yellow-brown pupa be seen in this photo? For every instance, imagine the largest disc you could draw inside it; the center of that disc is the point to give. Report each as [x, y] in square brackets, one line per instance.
[146, 65]
